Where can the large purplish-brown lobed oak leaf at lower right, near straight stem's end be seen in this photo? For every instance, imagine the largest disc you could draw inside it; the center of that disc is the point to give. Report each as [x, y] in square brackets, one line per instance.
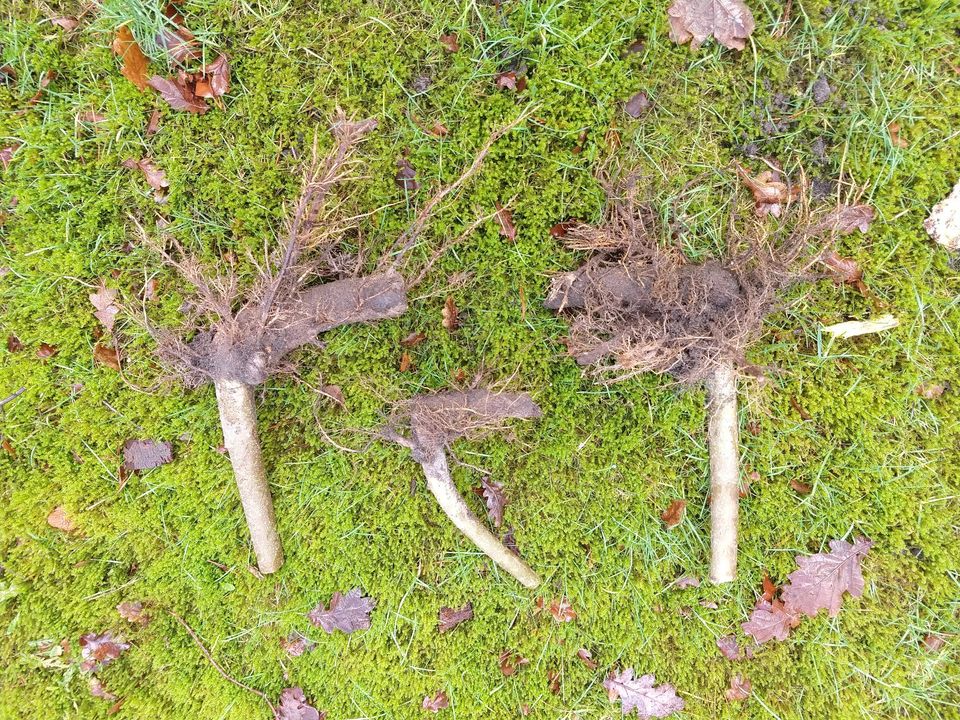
[823, 578]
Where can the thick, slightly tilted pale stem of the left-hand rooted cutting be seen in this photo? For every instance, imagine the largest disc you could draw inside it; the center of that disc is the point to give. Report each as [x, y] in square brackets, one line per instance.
[238, 418]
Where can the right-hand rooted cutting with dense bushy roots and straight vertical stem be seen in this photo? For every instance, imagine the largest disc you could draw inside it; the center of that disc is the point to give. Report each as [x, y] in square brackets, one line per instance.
[635, 307]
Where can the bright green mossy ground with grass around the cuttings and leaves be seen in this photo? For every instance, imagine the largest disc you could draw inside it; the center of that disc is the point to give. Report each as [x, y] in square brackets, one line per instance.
[587, 483]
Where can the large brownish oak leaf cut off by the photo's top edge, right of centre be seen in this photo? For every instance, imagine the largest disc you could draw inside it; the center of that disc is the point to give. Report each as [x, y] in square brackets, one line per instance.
[729, 21]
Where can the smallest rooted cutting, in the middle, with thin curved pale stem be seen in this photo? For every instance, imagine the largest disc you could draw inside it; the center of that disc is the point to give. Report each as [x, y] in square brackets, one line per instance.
[437, 420]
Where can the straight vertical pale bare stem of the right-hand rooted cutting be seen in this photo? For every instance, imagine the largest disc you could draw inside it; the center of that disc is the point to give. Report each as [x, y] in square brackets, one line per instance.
[723, 438]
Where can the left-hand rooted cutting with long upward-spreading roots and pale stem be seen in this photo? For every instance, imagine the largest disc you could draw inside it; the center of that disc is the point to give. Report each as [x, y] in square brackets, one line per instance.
[310, 284]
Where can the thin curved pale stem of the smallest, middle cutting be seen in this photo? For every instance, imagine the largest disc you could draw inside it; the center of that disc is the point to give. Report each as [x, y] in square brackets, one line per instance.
[441, 485]
